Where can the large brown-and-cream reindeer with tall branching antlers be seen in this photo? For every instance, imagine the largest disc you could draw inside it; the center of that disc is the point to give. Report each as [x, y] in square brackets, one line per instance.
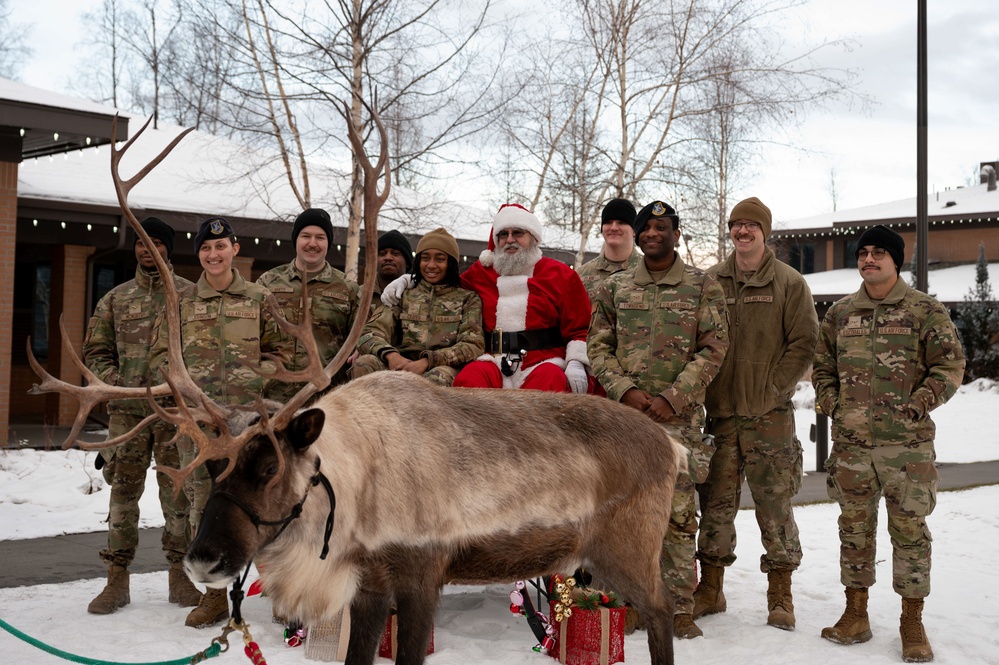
[421, 485]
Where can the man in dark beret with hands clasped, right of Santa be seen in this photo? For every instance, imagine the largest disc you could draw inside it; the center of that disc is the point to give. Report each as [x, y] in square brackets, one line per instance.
[657, 338]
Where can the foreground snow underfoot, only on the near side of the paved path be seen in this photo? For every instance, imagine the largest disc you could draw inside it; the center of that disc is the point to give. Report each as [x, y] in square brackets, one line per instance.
[473, 624]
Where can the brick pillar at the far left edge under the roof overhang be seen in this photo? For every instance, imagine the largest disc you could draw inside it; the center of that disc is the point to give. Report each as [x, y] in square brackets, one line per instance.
[8, 231]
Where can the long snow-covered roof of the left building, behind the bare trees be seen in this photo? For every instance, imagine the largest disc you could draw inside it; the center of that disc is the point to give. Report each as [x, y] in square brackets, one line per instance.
[210, 175]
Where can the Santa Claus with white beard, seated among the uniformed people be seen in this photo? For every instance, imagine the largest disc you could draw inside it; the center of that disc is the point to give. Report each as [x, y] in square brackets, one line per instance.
[535, 312]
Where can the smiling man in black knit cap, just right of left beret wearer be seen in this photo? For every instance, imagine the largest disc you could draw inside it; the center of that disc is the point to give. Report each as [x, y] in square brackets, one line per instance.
[332, 296]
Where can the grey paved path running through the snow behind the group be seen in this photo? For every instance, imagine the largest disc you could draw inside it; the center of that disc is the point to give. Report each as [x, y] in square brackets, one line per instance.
[75, 556]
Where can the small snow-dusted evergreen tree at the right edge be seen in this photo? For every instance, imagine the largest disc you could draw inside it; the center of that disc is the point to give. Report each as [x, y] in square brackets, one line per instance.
[978, 322]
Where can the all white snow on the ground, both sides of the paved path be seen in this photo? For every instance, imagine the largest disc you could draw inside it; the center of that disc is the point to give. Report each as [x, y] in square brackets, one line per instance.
[43, 493]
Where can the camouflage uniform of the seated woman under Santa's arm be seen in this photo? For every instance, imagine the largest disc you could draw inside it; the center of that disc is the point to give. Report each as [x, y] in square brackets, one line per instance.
[440, 323]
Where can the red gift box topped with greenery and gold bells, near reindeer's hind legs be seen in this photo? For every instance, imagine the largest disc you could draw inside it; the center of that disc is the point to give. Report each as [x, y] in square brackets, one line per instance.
[590, 637]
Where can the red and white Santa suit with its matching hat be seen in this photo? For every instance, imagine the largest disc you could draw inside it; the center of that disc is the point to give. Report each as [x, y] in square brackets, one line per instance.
[550, 295]
